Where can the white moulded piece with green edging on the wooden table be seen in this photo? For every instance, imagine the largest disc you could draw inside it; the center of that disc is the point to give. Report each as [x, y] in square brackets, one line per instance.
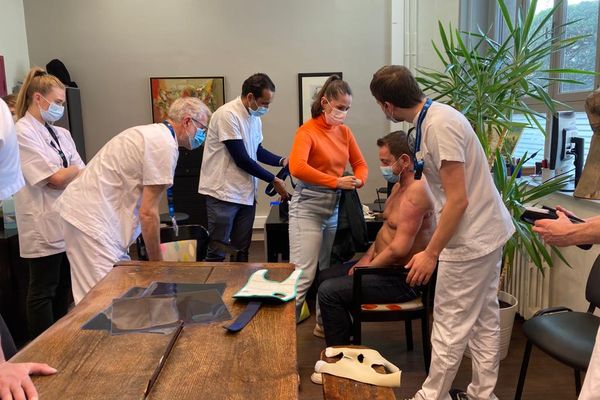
[261, 287]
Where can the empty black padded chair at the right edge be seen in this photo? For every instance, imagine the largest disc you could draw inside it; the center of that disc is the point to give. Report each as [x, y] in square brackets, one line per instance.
[564, 334]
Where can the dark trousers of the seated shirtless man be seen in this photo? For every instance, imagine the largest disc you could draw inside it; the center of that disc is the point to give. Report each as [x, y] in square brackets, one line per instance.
[335, 298]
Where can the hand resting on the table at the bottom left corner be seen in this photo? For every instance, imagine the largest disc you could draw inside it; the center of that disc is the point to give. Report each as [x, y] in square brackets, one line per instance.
[15, 382]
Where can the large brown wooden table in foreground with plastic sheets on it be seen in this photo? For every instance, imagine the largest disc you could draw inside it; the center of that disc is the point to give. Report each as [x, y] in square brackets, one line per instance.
[206, 363]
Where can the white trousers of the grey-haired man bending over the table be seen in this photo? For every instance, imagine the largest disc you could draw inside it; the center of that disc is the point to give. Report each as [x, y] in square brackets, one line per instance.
[90, 260]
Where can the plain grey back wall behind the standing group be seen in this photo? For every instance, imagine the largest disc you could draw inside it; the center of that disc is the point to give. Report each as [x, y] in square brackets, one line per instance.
[112, 47]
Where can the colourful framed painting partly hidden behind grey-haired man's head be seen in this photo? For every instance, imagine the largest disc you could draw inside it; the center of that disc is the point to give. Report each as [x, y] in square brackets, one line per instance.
[165, 90]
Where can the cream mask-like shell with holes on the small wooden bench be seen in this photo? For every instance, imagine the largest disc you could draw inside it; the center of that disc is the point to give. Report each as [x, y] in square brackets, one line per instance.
[357, 364]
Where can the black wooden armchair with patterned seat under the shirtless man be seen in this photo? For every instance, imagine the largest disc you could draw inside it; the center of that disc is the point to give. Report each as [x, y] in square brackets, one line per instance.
[408, 311]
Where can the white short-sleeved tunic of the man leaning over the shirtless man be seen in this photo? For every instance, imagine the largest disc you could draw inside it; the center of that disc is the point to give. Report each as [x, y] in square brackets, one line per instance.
[486, 224]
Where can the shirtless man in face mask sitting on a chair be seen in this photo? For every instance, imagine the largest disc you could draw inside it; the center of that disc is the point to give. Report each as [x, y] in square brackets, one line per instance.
[409, 223]
